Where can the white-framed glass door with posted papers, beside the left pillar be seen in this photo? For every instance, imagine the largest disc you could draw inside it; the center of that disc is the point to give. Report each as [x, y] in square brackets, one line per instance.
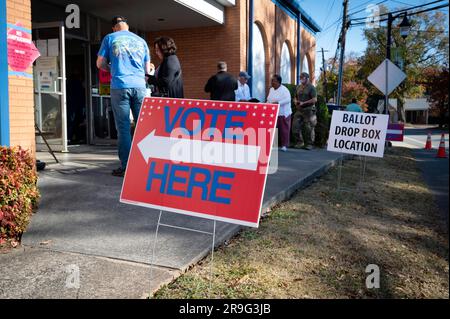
[50, 85]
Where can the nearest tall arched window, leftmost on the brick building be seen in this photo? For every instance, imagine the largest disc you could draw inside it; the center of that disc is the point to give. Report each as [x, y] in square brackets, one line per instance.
[259, 65]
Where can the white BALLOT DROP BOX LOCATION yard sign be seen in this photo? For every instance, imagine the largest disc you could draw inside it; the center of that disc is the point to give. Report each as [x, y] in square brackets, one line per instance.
[358, 133]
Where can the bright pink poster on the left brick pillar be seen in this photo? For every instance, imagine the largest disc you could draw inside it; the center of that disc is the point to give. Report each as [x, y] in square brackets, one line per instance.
[21, 50]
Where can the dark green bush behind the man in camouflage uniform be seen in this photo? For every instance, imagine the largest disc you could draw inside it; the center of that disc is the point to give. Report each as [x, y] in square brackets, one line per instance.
[323, 119]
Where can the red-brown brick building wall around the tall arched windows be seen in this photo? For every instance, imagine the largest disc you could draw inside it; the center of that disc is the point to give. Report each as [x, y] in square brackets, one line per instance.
[199, 49]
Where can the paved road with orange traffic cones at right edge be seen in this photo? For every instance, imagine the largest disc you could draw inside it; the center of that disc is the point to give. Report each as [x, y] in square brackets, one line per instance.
[435, 170]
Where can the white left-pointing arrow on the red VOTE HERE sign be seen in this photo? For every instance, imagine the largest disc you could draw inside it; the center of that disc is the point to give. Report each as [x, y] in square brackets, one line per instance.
[199, 152]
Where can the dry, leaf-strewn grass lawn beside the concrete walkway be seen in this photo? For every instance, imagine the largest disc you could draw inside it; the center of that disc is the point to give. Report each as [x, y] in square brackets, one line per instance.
[318, 244]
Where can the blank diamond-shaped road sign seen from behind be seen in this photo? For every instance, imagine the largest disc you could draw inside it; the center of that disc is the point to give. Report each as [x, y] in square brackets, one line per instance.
[395, 76]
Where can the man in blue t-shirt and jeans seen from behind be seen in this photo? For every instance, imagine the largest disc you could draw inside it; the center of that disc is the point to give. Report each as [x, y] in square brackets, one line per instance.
[127, 57]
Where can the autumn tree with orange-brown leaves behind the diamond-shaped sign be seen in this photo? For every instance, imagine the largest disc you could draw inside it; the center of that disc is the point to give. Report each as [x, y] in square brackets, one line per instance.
[425, 47]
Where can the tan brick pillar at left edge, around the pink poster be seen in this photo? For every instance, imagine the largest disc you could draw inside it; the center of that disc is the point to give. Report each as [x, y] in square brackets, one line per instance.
[21, 104]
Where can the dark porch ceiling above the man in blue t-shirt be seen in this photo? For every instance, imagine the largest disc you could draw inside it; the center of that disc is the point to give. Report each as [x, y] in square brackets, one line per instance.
[144, 14]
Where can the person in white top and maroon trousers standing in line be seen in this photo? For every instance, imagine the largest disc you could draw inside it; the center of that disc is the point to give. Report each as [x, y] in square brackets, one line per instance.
[278, 93]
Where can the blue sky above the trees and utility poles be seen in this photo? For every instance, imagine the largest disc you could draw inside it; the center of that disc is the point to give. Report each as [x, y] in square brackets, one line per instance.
[327, 18]
